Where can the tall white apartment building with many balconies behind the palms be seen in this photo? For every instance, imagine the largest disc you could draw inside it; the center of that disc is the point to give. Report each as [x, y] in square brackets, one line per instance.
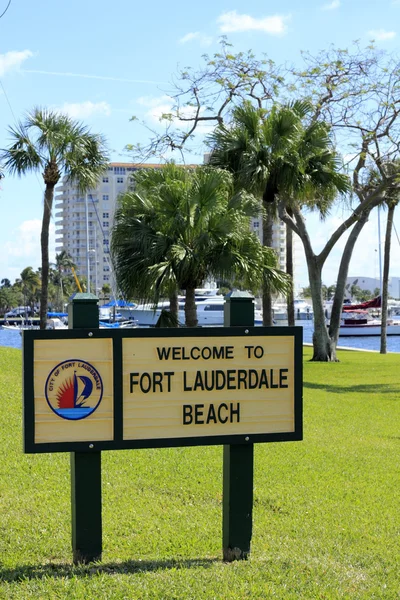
[84, 221]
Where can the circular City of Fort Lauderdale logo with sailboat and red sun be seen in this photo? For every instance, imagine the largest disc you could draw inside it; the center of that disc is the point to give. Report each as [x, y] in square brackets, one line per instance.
[74, 389]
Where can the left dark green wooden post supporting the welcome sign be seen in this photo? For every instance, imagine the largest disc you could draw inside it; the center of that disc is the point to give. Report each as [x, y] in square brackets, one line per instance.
[83, 313]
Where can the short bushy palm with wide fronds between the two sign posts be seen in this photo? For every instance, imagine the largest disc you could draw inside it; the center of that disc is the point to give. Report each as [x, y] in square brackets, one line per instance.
[190, 224]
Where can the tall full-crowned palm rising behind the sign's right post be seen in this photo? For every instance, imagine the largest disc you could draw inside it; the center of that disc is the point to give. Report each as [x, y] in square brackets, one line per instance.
[276, 156]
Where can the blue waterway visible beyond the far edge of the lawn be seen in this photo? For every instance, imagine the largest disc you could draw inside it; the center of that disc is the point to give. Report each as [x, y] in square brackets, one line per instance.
[13, 339]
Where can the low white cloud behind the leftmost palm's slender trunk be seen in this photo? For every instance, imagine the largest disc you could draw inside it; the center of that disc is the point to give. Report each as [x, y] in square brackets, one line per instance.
[24, 250]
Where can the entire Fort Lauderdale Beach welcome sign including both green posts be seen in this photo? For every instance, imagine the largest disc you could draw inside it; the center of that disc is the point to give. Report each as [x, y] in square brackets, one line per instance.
[88, 389]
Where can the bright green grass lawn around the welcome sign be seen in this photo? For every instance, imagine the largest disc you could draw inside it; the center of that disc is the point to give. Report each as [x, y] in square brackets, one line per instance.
[326, 510]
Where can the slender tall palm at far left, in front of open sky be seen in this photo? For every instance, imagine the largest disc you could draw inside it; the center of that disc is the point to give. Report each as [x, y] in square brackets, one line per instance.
[52, 143]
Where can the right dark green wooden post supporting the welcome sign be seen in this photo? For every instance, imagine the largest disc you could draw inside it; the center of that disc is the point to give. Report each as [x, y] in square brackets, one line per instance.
[238, 460]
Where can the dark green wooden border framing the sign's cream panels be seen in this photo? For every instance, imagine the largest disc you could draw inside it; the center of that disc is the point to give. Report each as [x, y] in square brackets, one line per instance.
[118, 443]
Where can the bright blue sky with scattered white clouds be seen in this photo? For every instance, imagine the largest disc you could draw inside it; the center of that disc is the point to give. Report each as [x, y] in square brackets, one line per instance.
[103, 63]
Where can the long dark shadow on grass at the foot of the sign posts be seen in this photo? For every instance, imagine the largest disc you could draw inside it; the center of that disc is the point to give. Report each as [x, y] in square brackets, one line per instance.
[56, 570]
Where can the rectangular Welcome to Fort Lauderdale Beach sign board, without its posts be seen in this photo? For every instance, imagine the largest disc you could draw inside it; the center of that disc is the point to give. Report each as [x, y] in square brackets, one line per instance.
[136, 388]
